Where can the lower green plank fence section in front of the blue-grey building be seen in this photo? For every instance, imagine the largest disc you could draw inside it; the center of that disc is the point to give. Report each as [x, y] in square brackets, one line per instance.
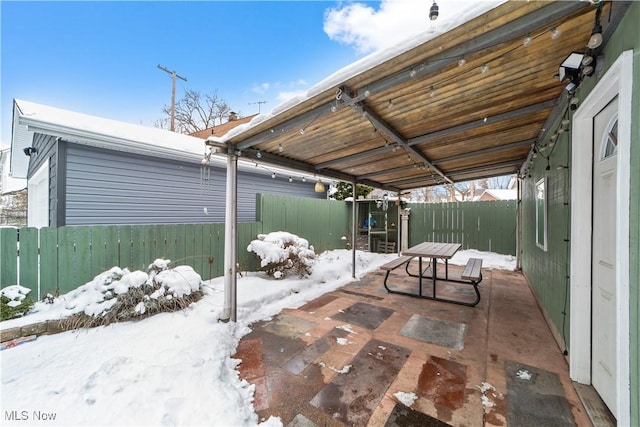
[61, 259]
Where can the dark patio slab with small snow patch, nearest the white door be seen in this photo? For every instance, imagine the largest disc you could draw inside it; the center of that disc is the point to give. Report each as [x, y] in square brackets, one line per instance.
[535, 397]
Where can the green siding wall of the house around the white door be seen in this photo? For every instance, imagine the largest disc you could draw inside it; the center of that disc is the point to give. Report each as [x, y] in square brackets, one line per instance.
[544, 270]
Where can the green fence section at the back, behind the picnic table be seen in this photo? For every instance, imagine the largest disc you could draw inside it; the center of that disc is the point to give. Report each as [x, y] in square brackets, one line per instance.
[485, 226]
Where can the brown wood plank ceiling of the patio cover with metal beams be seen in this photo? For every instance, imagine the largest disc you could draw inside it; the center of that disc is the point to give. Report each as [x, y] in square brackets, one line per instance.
[420, 119]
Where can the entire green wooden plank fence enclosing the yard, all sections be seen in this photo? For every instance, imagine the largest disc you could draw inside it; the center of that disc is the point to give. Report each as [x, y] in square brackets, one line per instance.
[57, 260]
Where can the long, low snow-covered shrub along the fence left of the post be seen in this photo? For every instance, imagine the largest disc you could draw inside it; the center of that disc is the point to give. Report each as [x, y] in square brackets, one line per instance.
[120, 290]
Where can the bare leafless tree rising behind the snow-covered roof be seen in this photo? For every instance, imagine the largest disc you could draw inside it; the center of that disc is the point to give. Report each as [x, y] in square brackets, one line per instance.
[195, 111]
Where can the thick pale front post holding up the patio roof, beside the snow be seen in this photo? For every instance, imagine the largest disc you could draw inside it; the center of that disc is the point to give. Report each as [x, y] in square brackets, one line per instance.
[229, 311]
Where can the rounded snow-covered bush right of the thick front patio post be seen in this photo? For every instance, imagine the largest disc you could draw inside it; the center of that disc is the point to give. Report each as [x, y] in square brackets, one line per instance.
[283, 252]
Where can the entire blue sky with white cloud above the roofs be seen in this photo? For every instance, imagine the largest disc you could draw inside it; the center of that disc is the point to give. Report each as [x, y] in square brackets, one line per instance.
[101, 58]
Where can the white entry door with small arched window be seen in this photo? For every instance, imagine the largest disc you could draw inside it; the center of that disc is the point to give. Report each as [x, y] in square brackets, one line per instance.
[603, 315]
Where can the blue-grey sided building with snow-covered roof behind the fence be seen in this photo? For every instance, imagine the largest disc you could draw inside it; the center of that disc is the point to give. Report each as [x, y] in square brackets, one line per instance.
[86, 170]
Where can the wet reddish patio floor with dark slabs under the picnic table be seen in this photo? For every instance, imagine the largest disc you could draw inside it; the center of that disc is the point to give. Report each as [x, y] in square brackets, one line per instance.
[347, 357]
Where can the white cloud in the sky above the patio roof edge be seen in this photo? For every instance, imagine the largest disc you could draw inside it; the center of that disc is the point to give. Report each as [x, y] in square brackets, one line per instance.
[368, 29]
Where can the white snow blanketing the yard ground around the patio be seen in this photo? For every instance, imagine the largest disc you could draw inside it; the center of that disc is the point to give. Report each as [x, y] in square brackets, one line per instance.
[169, 369]
